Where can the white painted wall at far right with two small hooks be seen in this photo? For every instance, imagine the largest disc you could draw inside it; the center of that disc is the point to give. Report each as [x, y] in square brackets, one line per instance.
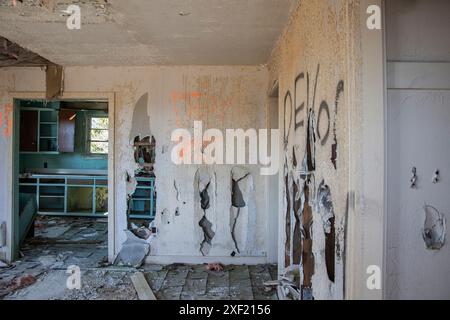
[418, 53]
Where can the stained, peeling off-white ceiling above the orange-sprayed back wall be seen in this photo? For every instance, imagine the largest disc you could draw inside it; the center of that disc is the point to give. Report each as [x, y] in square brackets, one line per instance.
[148, 32]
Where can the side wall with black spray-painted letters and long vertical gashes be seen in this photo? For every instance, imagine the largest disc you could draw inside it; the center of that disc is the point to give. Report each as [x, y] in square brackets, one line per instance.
[313, 63]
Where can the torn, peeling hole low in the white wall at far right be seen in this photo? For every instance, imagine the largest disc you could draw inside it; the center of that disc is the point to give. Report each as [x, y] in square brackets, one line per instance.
[433, 232]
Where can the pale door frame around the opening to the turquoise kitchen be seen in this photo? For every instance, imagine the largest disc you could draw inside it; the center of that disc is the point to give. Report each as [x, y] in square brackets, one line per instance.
[12, 183]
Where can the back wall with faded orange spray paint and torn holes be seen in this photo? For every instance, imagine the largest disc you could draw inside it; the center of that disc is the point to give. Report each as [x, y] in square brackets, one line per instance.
[220, 97]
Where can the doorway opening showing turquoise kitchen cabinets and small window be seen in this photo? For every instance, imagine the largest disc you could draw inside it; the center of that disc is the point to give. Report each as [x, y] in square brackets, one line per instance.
[62, 153]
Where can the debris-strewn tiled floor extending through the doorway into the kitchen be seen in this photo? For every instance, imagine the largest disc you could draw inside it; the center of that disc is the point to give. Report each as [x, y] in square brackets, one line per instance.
[61, 242]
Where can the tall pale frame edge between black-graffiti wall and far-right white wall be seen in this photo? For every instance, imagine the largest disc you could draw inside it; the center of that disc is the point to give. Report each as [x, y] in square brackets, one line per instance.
[366, 225]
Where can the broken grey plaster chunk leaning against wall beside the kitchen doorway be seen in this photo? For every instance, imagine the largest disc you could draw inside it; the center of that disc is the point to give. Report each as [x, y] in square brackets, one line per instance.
[133, 252]
